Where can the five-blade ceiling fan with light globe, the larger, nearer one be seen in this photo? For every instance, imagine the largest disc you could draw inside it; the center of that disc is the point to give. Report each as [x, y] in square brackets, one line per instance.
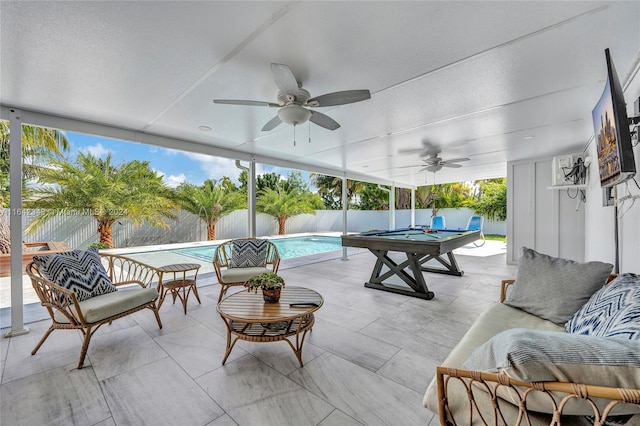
[294, 101]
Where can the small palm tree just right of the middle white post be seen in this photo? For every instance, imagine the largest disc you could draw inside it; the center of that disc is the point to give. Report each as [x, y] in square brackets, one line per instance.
[285, 203]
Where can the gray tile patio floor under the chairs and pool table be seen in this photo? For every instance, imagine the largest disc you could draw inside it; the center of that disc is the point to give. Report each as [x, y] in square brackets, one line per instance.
[368, 360]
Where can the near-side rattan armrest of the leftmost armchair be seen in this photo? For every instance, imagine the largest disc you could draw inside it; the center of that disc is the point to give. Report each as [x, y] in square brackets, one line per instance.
[54, 297]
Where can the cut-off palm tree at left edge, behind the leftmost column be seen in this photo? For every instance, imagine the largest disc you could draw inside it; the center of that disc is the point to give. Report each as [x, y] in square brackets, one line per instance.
[37, 142]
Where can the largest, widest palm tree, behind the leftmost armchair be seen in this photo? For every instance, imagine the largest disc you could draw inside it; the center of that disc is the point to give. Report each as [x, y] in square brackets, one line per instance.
[108, 193]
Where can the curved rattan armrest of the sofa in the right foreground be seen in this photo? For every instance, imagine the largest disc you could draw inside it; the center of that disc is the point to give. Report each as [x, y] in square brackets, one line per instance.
[557, 394]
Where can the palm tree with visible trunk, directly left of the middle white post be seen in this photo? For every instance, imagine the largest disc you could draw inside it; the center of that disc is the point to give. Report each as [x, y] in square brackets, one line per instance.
[210, 202]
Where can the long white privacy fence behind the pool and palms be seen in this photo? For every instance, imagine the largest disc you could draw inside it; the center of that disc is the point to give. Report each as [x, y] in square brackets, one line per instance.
[82, 231]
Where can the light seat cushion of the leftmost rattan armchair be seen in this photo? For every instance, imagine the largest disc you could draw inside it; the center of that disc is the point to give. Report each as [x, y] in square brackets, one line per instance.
[101, 307]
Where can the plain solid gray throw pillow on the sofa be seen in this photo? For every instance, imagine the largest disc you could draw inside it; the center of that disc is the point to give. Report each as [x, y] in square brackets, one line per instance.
[553, 288]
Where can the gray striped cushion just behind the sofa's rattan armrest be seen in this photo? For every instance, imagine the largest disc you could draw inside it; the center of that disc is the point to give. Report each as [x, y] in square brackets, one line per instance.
[548, 356]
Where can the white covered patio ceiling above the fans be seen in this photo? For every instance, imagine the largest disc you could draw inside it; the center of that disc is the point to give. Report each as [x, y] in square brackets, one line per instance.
[491, 81]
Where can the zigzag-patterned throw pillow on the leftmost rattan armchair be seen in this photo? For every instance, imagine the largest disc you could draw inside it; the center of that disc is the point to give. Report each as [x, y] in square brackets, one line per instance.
[80, 271]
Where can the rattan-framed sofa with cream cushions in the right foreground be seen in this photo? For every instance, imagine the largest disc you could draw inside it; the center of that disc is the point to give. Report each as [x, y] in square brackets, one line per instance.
[468, 391]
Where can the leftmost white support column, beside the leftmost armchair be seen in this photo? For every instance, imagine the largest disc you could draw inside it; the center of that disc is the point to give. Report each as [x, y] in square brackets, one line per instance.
[15, 223]
